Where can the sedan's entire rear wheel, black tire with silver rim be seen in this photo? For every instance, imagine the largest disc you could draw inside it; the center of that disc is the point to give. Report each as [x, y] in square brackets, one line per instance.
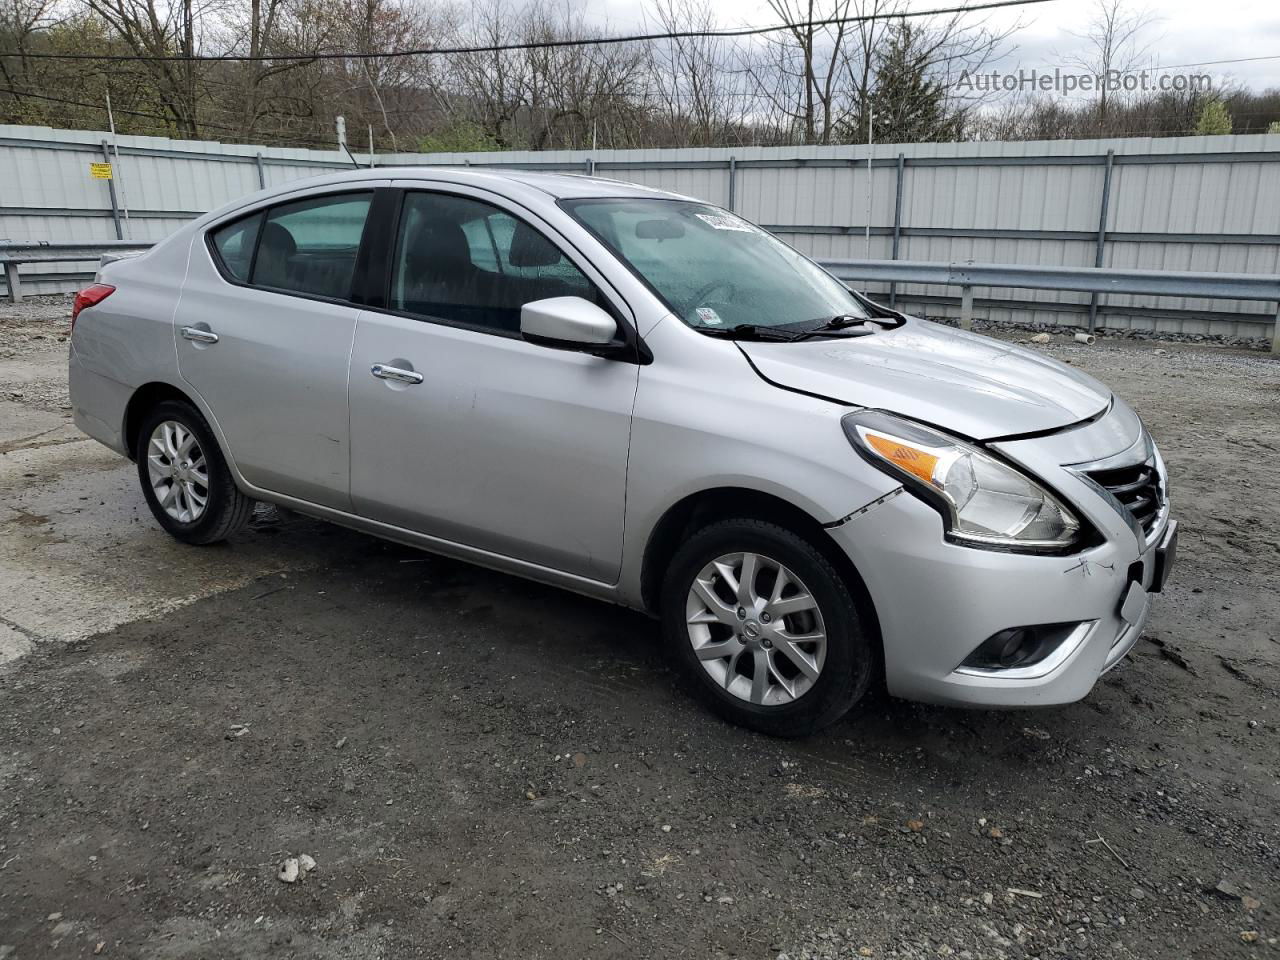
[185, 478]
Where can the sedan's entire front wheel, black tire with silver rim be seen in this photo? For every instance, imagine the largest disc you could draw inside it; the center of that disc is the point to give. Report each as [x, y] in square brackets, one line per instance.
[766, 628]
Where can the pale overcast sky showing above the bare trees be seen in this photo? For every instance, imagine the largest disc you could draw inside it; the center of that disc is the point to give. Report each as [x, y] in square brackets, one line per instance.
[1186, 31]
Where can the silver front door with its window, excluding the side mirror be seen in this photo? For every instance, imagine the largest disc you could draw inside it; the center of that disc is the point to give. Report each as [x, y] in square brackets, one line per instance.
[484, 440]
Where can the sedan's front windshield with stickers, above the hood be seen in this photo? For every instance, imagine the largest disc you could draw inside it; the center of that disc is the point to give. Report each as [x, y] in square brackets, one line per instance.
[714, 269]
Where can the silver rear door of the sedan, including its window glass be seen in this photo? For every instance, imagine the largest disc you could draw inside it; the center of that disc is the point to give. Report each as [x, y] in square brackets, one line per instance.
[264, 328]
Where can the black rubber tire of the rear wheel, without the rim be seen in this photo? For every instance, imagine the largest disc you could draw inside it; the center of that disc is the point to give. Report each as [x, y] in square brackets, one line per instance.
[227, 510]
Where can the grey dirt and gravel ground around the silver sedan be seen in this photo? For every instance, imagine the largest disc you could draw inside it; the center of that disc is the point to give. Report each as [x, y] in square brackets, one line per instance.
[488, 769]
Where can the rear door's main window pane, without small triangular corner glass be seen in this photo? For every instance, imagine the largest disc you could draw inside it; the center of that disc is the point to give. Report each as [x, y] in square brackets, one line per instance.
[310, 246]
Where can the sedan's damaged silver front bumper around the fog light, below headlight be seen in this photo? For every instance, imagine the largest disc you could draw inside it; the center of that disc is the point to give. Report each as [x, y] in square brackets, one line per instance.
[947, 611]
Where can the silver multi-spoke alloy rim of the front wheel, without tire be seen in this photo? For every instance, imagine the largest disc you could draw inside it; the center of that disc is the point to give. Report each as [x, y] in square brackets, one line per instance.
[756, 629]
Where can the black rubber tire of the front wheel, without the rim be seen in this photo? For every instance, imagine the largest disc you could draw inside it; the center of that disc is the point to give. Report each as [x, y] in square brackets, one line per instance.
[851, 664]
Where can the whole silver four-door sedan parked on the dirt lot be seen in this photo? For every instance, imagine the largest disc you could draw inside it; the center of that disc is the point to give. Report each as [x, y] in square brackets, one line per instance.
[651, 401]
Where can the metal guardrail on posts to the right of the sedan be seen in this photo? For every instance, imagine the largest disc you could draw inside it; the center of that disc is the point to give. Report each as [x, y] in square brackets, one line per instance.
[1081, 280]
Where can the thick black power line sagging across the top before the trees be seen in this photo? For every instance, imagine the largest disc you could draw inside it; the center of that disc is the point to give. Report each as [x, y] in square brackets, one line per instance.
[534, 44]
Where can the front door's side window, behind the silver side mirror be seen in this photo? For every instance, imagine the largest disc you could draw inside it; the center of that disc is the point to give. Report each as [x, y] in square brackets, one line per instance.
[470, 263]
